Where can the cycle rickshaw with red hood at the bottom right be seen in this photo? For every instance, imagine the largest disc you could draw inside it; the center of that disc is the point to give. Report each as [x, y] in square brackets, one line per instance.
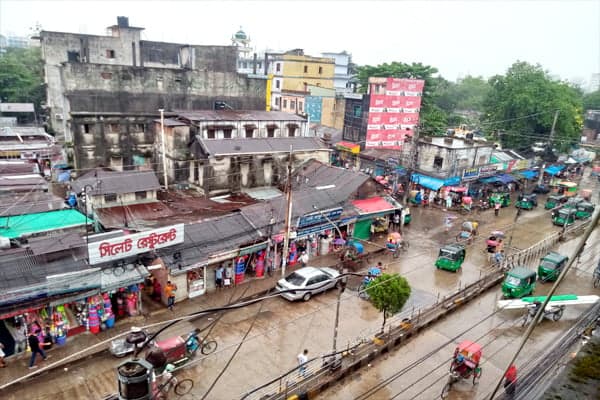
[465, 363]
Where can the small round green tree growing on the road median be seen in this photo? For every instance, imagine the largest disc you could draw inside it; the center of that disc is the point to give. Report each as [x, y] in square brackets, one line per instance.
[388, 293]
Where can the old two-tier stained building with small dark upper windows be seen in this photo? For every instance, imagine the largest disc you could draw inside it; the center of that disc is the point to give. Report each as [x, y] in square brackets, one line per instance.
[233, 150]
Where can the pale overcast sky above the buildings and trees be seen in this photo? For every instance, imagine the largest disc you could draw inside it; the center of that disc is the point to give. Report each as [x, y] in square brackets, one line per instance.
[458, 37]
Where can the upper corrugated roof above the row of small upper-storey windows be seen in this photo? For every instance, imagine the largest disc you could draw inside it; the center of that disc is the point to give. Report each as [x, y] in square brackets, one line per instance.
[238, 115]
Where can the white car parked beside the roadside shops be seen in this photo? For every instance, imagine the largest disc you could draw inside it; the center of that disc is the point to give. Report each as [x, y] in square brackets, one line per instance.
[313, 280]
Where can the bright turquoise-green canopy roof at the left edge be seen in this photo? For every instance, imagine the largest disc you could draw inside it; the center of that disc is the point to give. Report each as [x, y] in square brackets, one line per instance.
[27, 224]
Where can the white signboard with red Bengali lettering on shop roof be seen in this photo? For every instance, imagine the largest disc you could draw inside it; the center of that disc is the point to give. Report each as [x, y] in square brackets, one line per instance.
[137, 243]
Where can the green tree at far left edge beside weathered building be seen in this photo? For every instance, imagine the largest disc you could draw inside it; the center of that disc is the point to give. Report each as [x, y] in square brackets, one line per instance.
[22, 77]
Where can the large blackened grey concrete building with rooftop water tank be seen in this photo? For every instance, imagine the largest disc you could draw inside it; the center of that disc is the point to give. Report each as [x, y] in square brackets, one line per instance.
[104, 91]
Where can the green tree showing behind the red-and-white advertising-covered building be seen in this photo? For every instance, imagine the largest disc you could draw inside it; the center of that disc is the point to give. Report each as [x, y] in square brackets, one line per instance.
[433, 118]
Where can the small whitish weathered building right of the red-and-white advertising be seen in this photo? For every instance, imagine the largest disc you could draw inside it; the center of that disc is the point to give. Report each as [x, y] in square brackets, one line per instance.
[444, 157]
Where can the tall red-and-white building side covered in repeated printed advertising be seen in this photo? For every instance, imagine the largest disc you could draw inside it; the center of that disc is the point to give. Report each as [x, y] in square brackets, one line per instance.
[394, 107]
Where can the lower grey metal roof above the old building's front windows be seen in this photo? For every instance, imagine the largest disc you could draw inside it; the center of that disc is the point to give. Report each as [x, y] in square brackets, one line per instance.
[222, 147]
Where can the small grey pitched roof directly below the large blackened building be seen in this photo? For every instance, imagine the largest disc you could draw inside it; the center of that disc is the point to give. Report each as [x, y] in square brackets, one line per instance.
[116, 182]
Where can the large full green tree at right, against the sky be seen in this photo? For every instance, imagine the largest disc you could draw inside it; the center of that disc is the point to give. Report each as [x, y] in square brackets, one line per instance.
[520, 108]
